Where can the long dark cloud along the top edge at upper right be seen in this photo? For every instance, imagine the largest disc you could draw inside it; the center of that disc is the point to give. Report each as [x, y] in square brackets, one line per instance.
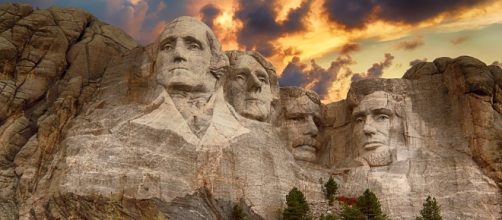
[357, 13]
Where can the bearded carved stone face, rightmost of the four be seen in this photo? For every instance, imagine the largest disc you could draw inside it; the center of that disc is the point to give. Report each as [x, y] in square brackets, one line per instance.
[372, 126]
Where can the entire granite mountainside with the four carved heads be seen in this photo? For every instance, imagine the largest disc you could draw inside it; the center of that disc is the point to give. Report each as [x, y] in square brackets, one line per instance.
[94, 126]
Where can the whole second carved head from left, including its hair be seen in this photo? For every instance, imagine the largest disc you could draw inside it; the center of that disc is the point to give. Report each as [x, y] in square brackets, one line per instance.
[251, 86]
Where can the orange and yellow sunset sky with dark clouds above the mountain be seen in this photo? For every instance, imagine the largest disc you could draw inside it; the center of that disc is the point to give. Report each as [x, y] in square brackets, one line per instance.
[322, 45]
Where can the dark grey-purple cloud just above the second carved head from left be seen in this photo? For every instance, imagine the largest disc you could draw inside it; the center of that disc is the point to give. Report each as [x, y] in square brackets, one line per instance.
[260, 28]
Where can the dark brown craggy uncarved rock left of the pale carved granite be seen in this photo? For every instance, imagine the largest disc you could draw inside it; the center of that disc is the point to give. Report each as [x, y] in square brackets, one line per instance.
[51, 63]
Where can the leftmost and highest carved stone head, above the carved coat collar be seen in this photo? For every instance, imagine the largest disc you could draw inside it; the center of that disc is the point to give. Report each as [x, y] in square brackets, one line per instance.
[184, 57]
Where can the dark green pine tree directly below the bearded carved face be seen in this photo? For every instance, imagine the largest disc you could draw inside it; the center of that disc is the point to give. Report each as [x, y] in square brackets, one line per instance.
[370, 206]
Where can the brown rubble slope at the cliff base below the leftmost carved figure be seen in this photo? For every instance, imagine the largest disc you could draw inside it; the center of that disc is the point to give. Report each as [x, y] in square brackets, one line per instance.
[197, 206]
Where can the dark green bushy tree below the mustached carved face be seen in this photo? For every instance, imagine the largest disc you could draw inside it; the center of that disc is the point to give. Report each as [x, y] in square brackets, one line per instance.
[297, 206]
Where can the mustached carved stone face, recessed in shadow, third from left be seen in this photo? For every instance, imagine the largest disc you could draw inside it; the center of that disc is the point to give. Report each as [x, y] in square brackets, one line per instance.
[302, 118]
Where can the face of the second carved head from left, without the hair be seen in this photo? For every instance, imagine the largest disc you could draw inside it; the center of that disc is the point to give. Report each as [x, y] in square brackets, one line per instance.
[248, 88]
